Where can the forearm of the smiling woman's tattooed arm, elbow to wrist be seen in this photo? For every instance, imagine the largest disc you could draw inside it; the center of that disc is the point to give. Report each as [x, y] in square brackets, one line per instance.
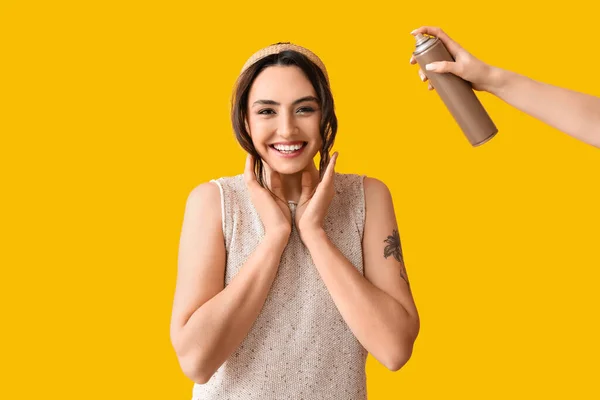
[380, 323]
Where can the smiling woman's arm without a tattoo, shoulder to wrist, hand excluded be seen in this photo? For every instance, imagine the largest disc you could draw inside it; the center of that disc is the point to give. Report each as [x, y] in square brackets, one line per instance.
[209, 321]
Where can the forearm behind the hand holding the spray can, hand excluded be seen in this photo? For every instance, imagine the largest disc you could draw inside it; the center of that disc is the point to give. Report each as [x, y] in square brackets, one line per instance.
[574, 113]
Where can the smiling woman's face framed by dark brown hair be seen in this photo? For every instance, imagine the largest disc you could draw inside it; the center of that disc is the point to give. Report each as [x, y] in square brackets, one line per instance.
[283, 118]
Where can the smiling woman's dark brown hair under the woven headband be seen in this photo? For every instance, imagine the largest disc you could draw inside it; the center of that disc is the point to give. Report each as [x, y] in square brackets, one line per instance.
[239, 105]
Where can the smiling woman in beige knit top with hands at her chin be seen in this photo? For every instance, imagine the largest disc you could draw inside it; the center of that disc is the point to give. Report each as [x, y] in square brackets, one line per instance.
[289, 274]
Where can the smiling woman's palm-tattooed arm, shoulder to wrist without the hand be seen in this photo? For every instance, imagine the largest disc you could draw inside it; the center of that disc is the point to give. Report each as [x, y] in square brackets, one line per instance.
[378, 307]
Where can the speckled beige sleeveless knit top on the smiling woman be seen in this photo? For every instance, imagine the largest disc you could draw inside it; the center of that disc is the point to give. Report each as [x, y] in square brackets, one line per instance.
[299, 347]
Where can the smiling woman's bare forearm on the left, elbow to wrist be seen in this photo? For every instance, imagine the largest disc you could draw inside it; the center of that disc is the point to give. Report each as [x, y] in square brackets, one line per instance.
[218, 327]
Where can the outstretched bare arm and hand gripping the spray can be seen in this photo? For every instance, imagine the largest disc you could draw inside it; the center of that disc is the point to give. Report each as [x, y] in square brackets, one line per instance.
[574, 113]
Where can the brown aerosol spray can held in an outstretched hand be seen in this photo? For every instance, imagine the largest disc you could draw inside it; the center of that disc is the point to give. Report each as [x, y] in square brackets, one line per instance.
[456, 93]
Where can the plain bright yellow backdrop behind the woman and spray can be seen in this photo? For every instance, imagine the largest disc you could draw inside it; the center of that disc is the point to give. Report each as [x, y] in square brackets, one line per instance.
[113, 111]
